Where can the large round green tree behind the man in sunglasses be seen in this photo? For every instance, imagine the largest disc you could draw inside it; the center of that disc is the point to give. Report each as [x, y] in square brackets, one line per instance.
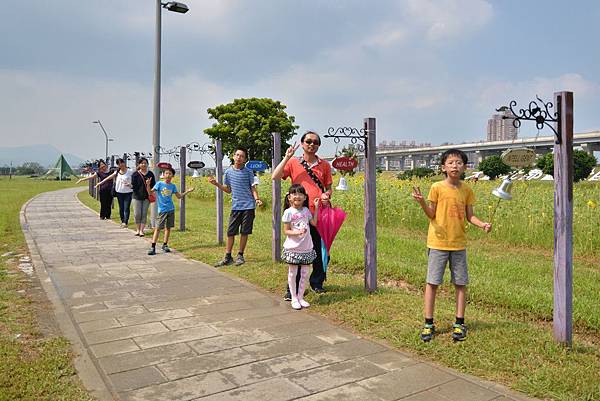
[249, 123]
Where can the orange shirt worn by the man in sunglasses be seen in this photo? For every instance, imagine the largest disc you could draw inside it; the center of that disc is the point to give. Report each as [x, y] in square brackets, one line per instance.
[322, 170]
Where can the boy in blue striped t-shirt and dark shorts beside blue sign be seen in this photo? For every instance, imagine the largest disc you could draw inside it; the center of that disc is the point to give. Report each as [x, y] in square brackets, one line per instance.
[238, 181]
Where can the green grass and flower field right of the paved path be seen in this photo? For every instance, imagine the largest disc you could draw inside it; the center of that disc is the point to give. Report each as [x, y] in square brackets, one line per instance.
[510, 296]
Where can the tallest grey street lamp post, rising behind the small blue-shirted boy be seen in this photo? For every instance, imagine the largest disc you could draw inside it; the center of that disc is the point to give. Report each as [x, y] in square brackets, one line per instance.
[179, 8]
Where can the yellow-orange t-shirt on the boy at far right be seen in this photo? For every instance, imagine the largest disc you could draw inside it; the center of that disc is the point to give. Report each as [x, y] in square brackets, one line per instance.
[447, 229]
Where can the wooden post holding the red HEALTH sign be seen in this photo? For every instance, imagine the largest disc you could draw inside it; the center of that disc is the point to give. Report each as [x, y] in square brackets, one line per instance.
[370, 206]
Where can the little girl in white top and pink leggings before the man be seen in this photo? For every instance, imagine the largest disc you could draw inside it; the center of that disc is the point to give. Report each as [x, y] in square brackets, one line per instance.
[298, 251]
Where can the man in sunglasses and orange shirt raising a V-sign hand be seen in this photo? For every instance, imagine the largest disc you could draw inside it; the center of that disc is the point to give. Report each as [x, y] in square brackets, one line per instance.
[314, 174]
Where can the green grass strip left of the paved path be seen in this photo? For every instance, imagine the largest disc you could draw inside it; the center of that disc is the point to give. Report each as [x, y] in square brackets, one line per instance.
[34, 365]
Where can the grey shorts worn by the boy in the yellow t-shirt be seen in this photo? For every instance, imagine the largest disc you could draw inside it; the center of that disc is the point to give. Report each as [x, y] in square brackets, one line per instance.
[436, 265]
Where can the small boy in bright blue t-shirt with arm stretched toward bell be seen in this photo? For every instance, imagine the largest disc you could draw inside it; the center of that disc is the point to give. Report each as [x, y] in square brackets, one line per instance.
[166, 208]
